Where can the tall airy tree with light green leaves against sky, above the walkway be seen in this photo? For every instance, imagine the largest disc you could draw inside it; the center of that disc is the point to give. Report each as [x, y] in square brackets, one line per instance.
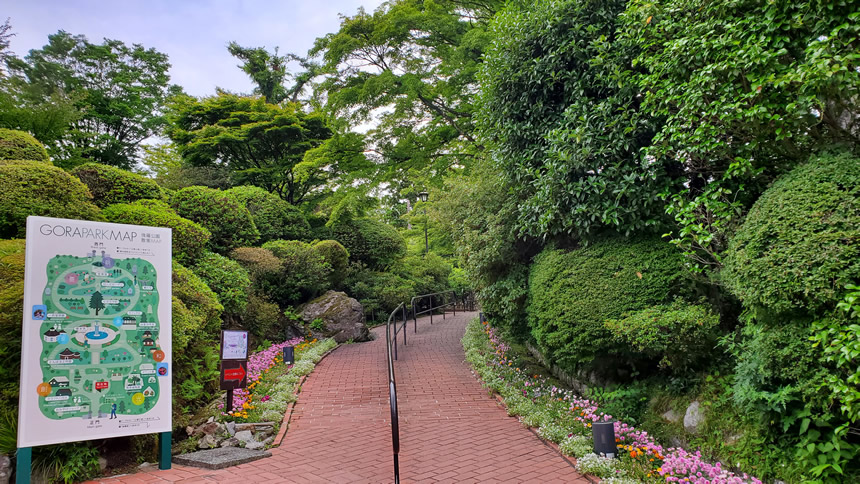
[410, 68]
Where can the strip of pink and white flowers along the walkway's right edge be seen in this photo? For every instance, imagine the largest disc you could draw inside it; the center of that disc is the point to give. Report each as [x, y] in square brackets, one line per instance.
[566, 419]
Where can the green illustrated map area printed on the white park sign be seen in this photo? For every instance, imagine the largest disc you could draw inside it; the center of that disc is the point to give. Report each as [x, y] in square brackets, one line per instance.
[101, 356]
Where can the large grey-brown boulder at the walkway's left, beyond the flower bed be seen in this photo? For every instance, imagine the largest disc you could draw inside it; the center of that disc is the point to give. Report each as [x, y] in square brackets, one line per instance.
[342, 315]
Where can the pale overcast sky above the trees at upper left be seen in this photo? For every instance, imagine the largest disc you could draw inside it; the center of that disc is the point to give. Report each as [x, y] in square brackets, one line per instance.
[194, 33]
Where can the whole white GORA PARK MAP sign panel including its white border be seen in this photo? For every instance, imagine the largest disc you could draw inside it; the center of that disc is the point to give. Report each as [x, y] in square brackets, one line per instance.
[96, 358]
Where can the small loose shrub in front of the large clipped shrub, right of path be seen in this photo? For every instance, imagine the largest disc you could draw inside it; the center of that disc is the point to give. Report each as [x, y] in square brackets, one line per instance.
[676, 335]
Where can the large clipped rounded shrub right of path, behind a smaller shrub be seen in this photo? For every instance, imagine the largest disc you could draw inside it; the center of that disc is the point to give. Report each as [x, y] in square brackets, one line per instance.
[572, 293]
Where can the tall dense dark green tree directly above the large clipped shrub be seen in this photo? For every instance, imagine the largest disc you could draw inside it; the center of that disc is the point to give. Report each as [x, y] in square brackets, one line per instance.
[561, 115]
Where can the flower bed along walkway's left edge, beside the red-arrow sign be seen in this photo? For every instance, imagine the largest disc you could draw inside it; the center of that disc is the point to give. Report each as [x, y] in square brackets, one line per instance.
[271, 384]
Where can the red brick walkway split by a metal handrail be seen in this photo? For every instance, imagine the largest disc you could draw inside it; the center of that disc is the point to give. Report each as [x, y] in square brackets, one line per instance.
[450, 429]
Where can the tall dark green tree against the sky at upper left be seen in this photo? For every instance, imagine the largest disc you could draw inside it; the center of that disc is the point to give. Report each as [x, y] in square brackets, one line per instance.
[122, 93]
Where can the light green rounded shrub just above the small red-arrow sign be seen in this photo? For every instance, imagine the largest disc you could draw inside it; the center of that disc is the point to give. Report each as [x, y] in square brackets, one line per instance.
[227, 278]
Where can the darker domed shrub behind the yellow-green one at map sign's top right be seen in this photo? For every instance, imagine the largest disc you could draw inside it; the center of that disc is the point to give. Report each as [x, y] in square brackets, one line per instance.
[221, 213]
